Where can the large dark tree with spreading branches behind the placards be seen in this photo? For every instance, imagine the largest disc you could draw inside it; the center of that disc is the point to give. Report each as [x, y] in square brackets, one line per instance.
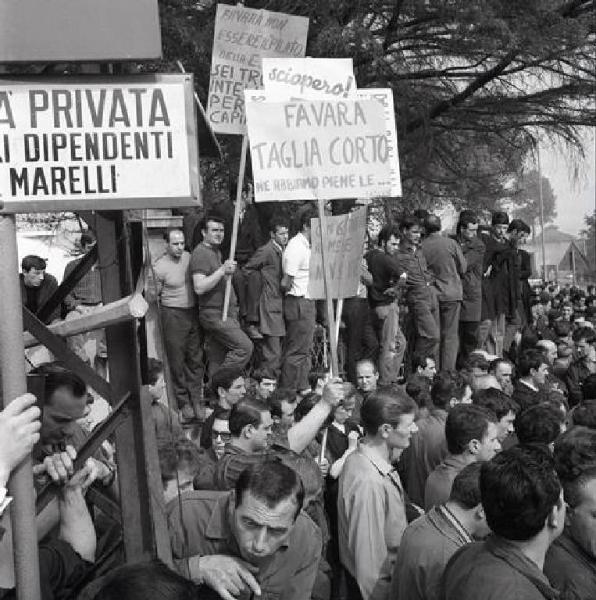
[475, 81]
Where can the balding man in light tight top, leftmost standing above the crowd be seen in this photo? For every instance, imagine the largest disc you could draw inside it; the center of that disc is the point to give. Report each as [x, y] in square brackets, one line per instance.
[180, 323]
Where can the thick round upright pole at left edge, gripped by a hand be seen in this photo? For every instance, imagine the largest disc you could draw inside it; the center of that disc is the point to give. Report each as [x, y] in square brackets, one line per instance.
[12, 369]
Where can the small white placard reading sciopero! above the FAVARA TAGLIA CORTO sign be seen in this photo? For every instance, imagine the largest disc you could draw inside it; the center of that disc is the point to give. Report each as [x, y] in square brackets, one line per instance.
[309, 77]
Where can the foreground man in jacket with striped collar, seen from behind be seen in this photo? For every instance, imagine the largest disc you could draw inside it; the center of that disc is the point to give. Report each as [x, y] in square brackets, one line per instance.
[429, 542]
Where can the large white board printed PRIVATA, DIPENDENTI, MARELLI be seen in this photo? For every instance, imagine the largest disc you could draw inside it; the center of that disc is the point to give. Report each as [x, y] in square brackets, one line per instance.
[98, 143]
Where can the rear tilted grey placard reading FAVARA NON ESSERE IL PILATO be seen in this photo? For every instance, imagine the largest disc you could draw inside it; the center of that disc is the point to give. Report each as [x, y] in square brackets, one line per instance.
[243, 36]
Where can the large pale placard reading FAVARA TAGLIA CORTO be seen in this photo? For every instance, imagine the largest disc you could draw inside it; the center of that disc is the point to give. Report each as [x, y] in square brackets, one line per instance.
[311, 149]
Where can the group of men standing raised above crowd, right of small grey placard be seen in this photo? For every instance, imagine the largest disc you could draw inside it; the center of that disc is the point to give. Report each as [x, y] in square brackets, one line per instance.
[462, 292]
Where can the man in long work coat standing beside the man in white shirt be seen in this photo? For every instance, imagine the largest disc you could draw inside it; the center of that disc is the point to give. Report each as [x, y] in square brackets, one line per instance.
[264, 298]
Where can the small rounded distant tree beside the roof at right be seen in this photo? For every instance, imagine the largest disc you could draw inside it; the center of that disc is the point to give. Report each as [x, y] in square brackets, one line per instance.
[525, 197]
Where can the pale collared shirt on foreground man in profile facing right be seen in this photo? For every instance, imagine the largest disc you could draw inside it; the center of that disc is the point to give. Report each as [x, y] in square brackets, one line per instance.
[371, 520]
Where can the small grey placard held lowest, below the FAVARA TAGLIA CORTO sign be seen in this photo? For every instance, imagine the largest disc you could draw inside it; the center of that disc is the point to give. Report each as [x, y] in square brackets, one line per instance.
[344, 243]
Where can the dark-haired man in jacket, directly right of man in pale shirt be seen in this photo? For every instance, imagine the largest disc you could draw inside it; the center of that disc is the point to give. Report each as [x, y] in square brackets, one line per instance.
[429, 447]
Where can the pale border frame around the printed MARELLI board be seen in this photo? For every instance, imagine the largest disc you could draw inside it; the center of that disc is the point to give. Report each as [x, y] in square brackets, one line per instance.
[11, 206]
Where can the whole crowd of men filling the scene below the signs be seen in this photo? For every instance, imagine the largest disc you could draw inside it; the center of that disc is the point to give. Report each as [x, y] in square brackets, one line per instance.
[456, 459]
